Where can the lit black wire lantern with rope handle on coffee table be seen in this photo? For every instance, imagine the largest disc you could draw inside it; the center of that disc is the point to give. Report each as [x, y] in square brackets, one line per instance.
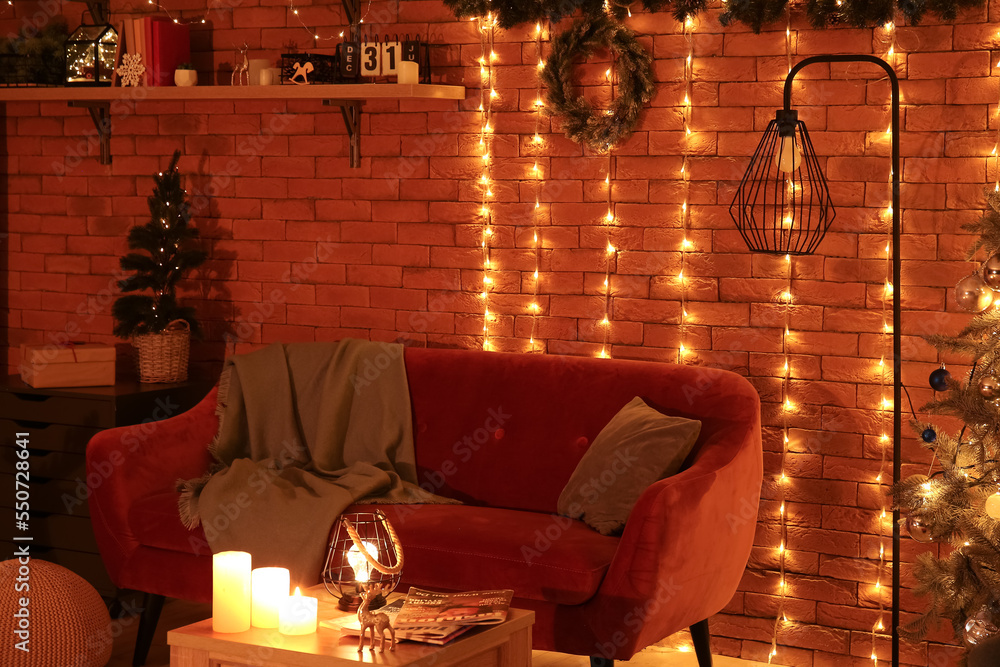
[363, 549]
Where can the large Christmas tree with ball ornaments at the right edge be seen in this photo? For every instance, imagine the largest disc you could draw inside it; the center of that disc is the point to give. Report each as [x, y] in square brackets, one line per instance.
[960, 503]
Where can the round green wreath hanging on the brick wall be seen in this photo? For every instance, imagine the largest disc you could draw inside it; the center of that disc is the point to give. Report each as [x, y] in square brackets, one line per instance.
[634, 69]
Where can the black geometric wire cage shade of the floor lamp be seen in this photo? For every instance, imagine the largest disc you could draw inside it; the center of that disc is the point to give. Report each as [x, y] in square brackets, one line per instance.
[782, 205]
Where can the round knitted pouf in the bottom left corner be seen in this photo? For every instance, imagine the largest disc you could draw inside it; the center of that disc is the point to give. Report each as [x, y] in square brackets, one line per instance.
[67, 622]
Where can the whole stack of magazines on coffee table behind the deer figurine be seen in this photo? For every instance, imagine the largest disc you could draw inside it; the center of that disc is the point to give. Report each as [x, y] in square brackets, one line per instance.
[435, 618]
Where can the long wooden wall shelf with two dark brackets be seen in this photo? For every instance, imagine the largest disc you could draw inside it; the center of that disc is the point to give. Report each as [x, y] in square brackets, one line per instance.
[349, 97]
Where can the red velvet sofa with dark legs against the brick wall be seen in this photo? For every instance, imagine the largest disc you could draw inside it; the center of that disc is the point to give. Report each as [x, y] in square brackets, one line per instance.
[503, 433]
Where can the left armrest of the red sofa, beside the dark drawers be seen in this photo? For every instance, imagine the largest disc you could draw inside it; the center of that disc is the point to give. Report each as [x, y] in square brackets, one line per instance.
[132, 462]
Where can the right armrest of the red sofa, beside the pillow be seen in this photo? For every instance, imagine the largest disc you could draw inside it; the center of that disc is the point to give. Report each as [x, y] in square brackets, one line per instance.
[686, 543]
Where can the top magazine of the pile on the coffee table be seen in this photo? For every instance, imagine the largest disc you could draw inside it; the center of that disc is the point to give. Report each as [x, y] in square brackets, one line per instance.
[468, 608]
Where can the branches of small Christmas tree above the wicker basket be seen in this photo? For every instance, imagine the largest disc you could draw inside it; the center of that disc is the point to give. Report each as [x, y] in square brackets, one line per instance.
[167, 239]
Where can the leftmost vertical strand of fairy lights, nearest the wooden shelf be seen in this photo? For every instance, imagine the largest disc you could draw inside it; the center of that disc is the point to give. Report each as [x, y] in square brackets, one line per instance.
[487, 59]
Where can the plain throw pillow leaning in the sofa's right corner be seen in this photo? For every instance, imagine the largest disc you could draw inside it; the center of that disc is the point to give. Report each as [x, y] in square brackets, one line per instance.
[638, 446]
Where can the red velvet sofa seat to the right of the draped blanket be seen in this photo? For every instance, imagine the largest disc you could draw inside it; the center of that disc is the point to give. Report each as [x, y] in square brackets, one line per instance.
[461, 547]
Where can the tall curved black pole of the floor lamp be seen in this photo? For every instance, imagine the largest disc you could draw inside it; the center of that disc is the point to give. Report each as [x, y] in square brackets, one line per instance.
[897, 380]
